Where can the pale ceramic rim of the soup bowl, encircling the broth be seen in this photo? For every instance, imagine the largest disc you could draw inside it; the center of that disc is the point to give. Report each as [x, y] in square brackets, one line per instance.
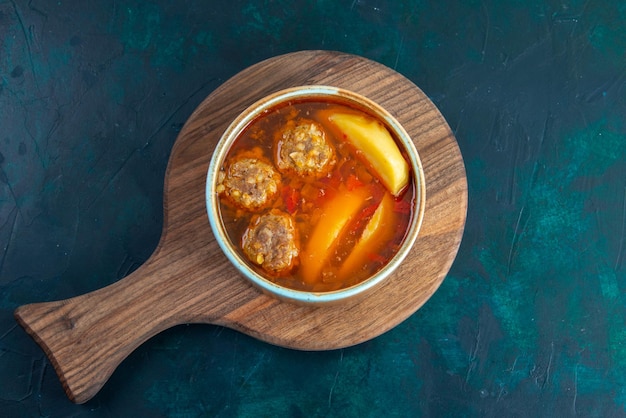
[307, 92]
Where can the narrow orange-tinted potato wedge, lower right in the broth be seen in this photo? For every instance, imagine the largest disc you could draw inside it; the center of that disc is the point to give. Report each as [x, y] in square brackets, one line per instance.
[375, 236]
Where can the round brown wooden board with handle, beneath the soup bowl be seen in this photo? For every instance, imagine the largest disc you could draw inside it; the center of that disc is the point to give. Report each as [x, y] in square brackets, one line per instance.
[189, 280]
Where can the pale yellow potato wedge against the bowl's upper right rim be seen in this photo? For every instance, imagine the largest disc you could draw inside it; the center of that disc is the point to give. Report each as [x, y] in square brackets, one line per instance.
[378, 147]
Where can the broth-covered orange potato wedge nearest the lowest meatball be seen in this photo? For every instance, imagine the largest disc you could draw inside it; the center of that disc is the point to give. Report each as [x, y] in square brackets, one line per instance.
[335, 216]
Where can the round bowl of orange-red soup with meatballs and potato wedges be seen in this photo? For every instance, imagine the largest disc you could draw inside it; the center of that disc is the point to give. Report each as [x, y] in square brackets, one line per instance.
[315, 194]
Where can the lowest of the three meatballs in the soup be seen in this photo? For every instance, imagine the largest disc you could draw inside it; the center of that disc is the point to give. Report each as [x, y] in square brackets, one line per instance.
[271, 242]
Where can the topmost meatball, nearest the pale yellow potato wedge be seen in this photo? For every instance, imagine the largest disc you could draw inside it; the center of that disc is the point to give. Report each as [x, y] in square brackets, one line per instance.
[303, 149]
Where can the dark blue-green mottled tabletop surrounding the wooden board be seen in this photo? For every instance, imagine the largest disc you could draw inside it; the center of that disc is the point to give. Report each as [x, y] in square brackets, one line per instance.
[529, 322]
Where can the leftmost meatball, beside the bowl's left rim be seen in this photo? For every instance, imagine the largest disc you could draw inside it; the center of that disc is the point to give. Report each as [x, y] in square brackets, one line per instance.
[249, 183]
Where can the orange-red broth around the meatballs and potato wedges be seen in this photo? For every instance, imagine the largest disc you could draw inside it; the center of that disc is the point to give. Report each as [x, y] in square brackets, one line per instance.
[305, 198]
